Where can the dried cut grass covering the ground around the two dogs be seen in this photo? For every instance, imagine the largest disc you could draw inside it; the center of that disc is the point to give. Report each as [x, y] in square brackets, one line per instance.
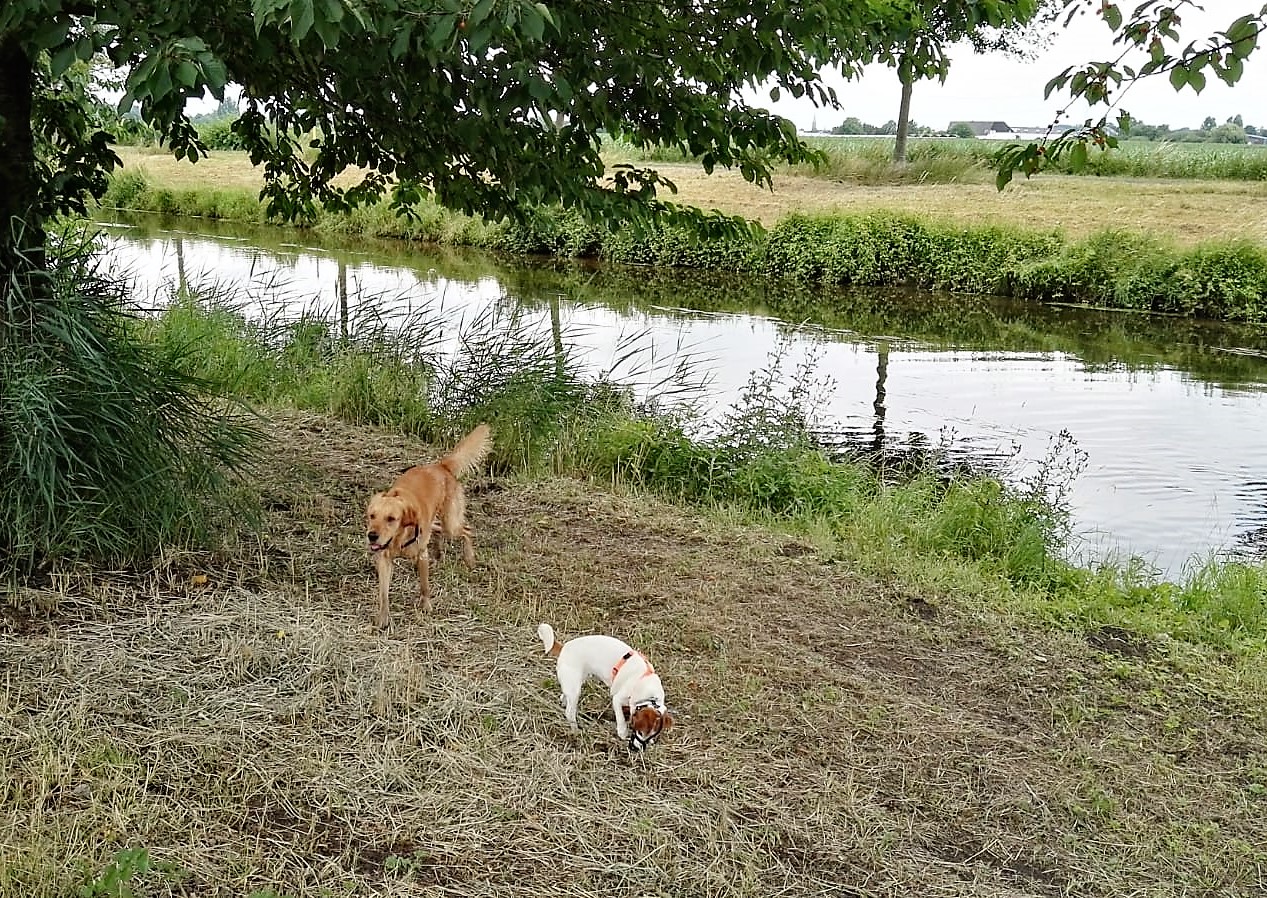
[838, 737]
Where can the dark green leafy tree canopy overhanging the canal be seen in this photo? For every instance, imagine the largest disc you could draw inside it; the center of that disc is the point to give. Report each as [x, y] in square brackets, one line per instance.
[491, 106]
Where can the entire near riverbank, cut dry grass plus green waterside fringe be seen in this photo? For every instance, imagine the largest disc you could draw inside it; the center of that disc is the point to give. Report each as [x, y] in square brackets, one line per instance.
[888, 685]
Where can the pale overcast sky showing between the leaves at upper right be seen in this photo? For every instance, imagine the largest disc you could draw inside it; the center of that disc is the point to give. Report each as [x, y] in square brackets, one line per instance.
[999, 88]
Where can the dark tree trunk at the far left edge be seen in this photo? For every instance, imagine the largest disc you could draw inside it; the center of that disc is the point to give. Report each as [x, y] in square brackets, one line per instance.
[22, 234]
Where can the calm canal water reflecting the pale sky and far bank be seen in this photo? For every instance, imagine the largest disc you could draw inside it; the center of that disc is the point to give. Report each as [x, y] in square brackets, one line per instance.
[1162, 419]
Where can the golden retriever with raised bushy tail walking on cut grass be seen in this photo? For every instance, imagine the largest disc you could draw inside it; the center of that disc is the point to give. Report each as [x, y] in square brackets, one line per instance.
[402, 520]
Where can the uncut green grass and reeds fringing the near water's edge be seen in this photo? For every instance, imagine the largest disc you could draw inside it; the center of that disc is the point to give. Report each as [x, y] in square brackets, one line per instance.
[932, 528]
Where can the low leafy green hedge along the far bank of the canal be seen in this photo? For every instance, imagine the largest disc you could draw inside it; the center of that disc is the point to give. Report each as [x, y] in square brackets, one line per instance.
[1114, 269]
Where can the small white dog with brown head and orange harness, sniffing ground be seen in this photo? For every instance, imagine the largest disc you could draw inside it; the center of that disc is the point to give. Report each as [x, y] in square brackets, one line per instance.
[634, 683]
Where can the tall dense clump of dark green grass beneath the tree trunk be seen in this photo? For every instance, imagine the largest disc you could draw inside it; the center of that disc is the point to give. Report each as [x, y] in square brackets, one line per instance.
[111, 448]
